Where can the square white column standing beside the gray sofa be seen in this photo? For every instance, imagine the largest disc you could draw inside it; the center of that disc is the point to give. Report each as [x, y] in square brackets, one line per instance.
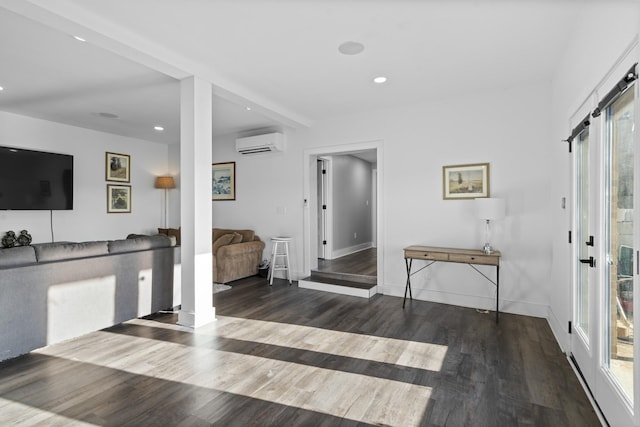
[195, 203]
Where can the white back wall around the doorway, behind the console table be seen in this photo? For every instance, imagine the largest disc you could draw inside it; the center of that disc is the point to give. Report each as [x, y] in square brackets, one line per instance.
[507, 128]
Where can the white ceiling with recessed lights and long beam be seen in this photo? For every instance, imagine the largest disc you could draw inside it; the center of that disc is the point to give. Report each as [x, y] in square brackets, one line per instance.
[278, 56]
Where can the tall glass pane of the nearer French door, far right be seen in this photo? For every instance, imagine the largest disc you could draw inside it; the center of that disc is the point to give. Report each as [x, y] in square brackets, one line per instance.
[619, 231]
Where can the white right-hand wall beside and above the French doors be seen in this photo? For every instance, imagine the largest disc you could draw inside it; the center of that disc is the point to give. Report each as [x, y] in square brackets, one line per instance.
[600, 36]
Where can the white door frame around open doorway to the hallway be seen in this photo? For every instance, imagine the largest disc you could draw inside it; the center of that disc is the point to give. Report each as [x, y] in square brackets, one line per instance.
[310, 224]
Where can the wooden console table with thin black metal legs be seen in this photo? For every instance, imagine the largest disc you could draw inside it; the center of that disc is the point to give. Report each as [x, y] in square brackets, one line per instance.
[463, 256]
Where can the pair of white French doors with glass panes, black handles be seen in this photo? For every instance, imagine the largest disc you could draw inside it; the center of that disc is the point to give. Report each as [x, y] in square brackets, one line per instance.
[605, 254]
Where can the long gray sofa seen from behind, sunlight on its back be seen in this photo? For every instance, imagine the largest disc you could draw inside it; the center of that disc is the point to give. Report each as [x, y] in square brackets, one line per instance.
[56, 291]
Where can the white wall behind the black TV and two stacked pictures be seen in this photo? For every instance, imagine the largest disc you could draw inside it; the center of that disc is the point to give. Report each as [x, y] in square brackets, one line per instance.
[89, 219]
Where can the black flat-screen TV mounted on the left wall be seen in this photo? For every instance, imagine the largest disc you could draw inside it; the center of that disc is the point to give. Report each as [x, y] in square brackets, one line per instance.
[35, 180]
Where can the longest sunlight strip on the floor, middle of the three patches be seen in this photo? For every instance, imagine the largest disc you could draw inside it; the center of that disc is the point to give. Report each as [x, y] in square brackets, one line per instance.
[341, 394]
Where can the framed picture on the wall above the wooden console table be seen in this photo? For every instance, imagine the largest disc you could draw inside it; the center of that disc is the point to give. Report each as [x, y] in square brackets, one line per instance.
[465, 181]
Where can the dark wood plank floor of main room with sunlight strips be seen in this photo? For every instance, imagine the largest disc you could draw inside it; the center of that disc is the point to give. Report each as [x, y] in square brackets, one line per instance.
[280, 355]
